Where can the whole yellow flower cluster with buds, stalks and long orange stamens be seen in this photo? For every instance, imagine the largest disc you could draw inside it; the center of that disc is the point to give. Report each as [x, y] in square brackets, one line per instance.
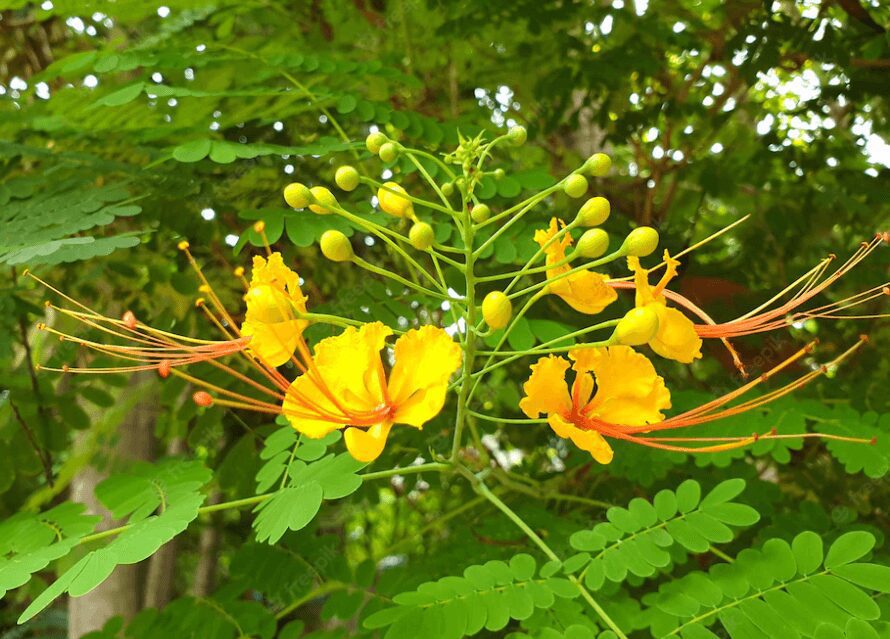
[345, 382]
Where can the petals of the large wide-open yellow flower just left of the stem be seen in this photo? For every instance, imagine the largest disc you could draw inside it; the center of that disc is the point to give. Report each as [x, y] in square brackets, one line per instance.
[347, 386]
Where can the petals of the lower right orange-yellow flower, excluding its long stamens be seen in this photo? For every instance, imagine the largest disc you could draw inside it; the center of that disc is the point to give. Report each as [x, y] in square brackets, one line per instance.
[629, 394]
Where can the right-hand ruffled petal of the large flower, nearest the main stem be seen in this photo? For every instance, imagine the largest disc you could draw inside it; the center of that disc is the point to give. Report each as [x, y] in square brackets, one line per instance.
[425, 359]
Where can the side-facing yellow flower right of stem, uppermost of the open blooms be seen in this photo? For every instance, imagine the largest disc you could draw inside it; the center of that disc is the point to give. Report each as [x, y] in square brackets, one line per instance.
[585, 291]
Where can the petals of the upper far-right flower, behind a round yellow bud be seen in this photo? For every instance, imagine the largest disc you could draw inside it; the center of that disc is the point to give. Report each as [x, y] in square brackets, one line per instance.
[676, 337]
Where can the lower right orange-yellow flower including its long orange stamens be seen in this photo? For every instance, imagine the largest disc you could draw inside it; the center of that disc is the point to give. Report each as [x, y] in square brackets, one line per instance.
[617, 394]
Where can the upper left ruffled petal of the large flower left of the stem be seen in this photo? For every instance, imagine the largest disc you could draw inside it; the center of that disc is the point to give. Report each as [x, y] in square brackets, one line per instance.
[351, 367]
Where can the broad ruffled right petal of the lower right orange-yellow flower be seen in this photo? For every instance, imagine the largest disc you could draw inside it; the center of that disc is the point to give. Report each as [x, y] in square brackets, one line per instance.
[629, 391]
